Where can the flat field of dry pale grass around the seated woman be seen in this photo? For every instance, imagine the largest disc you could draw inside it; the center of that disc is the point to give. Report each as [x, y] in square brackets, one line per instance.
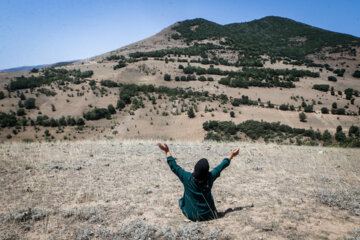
[125, 190]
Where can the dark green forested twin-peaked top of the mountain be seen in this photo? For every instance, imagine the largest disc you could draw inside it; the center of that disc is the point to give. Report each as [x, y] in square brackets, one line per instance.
[274, 36]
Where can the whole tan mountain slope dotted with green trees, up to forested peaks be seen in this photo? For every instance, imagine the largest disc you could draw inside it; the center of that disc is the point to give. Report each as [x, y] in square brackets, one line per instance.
[271, 80]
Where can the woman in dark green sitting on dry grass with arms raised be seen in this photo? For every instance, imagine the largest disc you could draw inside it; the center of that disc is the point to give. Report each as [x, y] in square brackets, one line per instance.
[197, 204]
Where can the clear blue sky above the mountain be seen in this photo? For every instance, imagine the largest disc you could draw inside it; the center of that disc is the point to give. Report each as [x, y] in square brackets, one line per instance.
[47, 31]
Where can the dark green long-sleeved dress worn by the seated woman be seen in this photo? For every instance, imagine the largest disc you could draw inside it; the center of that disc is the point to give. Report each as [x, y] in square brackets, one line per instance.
[197, 204]
